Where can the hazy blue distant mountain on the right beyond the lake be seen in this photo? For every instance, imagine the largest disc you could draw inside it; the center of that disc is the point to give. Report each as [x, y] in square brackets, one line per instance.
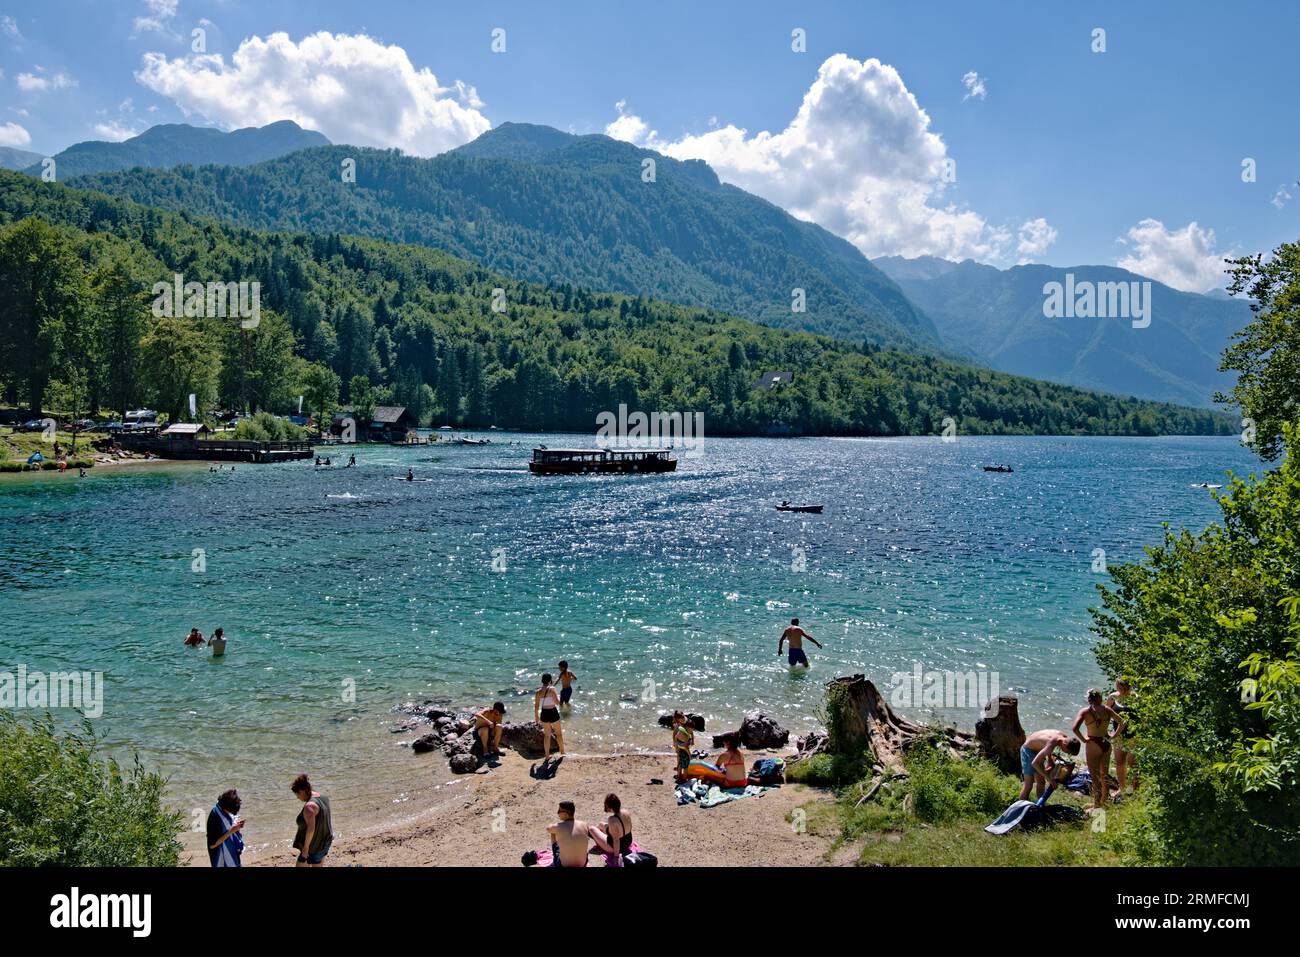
[996, 315]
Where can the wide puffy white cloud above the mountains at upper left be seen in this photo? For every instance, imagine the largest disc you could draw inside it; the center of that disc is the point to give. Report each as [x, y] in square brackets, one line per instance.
[350, 88]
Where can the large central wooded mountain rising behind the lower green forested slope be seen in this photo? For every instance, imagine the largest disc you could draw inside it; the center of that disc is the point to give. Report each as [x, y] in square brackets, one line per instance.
[544, 206]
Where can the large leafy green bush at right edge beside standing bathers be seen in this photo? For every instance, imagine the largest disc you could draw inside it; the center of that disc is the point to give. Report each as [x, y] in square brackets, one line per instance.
[1208, 631]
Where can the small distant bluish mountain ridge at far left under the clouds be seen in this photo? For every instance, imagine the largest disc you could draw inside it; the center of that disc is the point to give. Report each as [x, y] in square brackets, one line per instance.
[172, 145]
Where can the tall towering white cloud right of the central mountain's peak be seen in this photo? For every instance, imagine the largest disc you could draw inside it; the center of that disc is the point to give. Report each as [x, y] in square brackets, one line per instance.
[859, 159]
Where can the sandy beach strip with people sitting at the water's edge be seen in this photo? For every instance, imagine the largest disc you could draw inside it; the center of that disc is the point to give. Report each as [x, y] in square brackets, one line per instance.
[491, 819]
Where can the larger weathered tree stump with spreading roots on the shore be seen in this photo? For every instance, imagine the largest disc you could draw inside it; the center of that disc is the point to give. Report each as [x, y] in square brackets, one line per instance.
[864, 721]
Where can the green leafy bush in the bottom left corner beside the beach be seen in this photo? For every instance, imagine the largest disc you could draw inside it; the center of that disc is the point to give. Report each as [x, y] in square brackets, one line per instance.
[62, 804]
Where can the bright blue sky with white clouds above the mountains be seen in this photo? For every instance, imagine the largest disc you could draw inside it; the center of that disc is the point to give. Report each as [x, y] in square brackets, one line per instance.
[1063, 155]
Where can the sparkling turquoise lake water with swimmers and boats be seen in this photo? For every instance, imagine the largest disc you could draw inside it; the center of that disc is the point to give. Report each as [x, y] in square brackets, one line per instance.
[668, 587]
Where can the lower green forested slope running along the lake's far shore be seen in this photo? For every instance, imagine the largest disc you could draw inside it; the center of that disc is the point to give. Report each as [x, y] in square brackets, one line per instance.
[362, 321]
